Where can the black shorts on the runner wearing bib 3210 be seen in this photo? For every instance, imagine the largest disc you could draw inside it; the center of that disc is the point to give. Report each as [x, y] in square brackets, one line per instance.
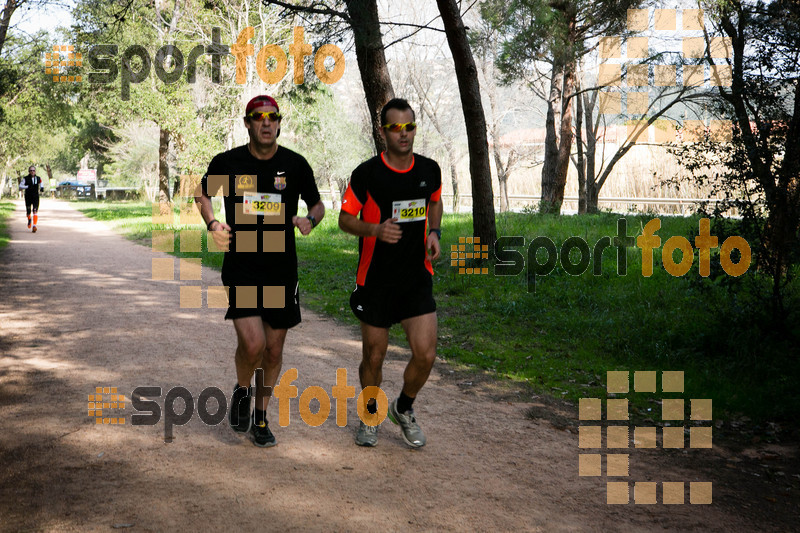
[383, 306]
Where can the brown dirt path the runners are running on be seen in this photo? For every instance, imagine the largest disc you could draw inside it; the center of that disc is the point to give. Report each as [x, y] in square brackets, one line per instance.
[79, 310]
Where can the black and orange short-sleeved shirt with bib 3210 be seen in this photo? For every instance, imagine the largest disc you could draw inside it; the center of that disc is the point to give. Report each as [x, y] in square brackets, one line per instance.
[380, 192]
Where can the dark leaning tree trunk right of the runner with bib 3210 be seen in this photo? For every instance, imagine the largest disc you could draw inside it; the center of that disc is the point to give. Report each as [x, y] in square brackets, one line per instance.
[469, 88]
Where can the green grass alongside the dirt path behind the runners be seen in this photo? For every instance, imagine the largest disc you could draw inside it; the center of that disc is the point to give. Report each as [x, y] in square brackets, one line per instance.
[560, 335]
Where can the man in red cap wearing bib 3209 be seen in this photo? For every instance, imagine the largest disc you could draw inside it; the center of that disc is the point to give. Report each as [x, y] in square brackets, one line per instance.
[261, 183]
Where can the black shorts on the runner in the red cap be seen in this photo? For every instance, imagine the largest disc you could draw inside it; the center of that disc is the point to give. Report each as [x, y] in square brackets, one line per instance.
[253, 300]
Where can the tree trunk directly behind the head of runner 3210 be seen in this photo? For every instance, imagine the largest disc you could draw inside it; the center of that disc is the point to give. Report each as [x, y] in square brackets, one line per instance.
[371, 61]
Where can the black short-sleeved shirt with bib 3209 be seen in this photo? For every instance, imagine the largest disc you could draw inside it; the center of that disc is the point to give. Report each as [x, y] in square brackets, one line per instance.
[260, 197]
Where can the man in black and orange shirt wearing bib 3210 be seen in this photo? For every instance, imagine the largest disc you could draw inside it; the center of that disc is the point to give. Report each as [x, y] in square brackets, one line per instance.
[398, 195]
